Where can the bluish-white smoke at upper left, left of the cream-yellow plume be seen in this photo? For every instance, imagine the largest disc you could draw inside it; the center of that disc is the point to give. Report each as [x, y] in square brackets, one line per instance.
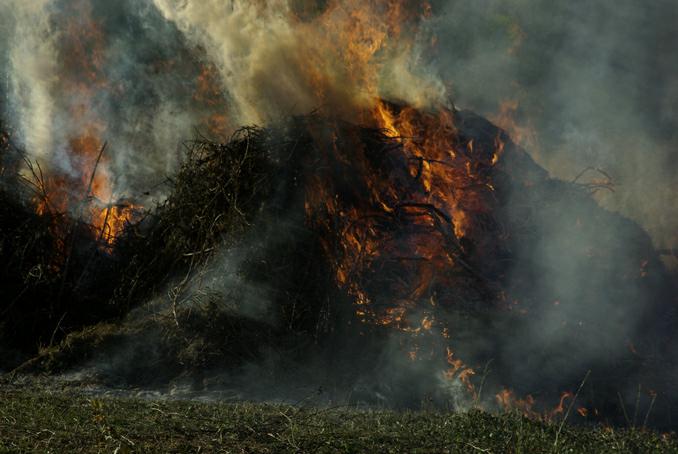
[79, 74]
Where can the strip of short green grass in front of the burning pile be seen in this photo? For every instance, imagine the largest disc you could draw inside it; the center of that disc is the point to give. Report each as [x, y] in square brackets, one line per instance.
[39, 419]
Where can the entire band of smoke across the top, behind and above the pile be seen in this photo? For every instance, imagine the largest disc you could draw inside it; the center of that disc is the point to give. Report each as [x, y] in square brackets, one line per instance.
[592, 82]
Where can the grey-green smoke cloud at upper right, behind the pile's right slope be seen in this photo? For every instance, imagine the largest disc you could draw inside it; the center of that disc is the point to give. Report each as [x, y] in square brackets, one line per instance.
[595, 82]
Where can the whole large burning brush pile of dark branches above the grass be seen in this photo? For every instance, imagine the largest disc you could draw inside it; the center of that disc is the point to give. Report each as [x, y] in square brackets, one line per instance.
[417, 256]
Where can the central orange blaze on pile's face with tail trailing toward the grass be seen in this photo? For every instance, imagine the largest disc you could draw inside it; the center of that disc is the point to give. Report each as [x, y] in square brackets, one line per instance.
[396, 222]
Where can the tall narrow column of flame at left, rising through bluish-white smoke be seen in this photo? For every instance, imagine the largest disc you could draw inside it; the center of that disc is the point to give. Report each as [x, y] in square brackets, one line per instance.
[83, 186]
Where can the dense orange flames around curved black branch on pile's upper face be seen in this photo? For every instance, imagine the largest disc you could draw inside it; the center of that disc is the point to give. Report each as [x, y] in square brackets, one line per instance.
[435, 191]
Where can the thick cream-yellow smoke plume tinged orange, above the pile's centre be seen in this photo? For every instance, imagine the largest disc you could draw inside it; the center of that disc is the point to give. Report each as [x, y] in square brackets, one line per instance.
[276, 61]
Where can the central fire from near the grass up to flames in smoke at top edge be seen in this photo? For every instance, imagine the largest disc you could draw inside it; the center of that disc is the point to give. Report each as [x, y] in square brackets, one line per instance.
[395, 223]
